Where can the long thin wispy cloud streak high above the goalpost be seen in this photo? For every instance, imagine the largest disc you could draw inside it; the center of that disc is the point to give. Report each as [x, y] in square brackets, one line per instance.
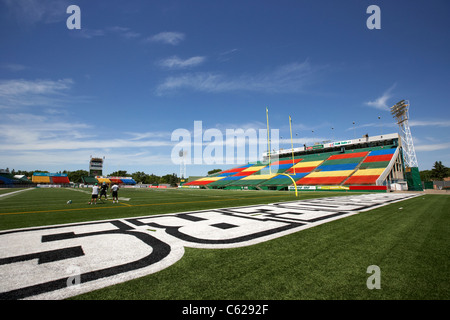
[285, 79]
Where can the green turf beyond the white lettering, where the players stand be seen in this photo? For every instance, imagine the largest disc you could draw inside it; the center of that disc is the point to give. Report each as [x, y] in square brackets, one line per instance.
[40, 207]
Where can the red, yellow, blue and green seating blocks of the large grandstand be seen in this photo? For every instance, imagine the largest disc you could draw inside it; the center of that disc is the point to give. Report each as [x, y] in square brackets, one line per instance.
[356, 169]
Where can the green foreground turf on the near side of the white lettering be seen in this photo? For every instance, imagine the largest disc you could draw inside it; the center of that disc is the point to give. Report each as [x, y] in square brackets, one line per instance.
[409, 241]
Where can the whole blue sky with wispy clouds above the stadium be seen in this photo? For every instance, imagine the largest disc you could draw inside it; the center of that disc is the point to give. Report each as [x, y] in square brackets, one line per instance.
[138, 70]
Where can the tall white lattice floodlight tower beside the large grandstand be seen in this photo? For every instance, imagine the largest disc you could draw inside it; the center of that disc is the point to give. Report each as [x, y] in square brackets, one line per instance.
[400, 111]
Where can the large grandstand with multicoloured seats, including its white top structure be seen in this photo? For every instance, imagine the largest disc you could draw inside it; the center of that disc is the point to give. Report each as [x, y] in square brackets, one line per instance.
[368, 163]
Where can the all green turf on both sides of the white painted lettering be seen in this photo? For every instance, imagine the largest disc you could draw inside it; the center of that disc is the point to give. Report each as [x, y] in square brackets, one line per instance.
[411, 246]
